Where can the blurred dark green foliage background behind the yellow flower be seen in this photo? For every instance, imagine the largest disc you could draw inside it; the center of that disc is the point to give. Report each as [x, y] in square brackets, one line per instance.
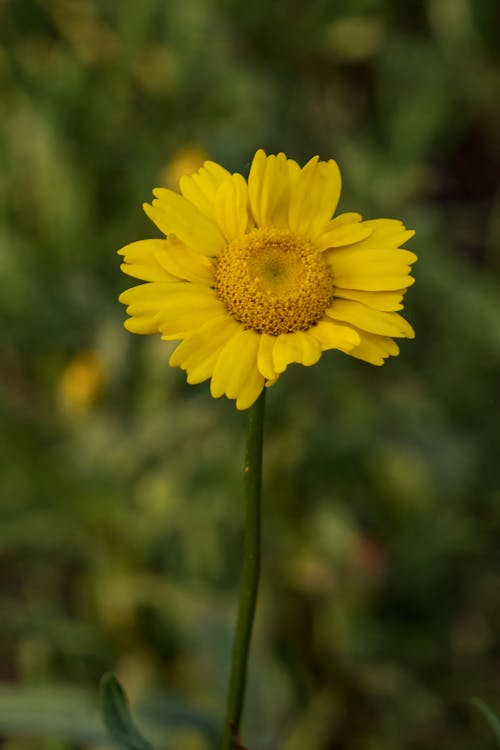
[121, 499]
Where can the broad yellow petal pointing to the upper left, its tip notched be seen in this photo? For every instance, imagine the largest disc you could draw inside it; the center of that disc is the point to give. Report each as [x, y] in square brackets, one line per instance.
[173, 214]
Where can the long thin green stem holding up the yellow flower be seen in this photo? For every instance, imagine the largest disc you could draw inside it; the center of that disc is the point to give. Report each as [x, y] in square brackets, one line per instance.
[250, 574]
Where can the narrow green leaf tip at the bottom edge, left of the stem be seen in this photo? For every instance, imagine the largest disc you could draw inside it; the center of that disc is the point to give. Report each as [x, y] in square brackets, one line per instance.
[117, 717]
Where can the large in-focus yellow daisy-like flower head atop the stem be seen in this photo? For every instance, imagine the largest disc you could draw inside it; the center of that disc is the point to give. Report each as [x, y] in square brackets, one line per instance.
[254, 275]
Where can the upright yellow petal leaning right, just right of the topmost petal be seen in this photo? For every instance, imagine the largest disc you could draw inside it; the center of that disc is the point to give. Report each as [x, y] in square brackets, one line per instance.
[314, 196]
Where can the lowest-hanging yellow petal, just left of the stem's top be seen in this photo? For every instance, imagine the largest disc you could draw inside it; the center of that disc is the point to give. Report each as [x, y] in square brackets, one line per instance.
[237, 362]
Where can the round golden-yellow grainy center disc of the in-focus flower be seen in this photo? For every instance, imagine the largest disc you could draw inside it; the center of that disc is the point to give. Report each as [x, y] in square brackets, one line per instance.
[273, 282]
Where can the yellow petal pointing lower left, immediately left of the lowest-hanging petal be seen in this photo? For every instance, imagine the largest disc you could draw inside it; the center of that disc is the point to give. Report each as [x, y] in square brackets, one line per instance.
[198, 353]
